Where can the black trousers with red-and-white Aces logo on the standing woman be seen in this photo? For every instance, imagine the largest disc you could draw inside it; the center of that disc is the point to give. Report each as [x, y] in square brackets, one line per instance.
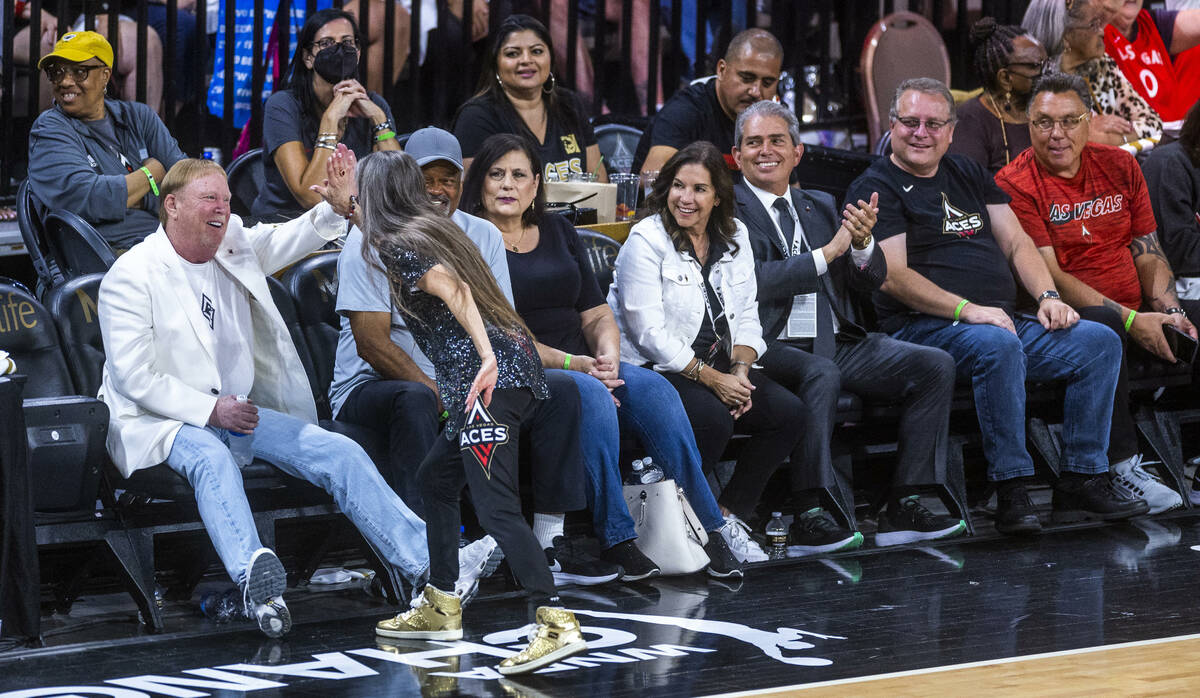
[485, 460]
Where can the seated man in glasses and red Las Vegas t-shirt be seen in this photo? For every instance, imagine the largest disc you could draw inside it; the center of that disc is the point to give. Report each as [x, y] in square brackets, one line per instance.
[1087, 208]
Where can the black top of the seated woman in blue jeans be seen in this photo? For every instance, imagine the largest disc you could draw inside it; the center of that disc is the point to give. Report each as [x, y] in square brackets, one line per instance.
[554, 284]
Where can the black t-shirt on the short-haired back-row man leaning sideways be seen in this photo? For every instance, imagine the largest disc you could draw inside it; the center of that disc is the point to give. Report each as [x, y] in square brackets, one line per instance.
[693, 115]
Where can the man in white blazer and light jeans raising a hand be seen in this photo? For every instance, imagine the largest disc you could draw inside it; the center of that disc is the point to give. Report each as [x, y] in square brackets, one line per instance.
[189, 324]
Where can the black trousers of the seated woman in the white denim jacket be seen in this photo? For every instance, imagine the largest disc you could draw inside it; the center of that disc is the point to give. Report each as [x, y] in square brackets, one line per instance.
[772, 425]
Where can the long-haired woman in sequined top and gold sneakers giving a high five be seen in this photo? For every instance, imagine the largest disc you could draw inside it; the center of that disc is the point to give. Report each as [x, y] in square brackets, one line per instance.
[488, 374]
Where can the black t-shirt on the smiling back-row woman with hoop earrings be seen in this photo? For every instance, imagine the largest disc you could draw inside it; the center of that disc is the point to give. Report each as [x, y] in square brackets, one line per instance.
[563, 152]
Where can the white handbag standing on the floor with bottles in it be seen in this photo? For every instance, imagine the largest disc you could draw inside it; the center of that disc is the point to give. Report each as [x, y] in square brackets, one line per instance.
[669, 533]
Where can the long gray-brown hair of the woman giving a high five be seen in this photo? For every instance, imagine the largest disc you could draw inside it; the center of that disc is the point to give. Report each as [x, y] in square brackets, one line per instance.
[398, 215]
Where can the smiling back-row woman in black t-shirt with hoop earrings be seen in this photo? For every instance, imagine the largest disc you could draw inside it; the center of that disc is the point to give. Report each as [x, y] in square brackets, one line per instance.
[518, 94]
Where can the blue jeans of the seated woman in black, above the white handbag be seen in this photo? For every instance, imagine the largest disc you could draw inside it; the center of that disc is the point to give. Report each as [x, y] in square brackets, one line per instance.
[651, 410]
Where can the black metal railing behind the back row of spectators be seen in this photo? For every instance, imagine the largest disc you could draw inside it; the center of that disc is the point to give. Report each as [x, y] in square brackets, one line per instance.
[826, 34]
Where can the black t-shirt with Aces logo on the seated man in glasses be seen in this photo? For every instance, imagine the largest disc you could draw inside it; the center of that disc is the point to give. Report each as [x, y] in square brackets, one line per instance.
[950, 237]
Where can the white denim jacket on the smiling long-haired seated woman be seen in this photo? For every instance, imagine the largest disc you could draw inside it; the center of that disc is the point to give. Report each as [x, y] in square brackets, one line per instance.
[657, 298]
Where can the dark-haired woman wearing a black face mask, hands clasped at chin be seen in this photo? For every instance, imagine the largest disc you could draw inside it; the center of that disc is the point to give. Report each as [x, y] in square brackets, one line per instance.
[323, 105]
